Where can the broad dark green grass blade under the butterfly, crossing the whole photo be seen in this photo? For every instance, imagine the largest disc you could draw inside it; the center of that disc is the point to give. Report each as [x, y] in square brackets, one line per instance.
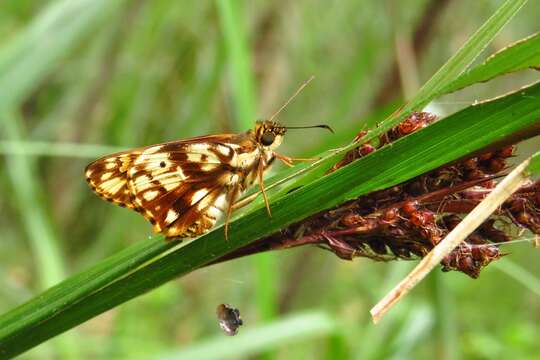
[113, 282]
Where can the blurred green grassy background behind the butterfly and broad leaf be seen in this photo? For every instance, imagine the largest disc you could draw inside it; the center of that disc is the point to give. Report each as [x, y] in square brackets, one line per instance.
[81, 78]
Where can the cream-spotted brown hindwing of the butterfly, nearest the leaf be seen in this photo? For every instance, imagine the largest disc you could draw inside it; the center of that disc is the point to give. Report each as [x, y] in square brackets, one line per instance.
[182, 188]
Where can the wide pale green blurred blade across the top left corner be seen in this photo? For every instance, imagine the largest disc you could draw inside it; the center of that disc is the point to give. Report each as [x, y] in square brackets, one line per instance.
[29, 57]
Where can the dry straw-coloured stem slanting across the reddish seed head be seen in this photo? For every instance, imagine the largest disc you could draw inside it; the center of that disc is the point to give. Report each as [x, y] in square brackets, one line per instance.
[512, 182]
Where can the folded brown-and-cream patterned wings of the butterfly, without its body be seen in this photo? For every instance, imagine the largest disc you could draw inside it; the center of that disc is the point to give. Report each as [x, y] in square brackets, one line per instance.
[181, 187]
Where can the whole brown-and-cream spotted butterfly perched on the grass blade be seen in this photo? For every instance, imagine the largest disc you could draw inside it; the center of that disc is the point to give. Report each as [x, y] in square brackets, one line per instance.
[183, 187]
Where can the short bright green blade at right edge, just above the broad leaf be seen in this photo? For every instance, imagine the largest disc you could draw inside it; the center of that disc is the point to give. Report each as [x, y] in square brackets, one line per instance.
[521, 55]
